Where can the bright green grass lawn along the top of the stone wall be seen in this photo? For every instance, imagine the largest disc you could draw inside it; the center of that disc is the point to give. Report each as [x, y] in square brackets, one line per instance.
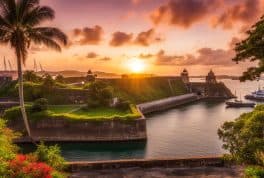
[75, 112]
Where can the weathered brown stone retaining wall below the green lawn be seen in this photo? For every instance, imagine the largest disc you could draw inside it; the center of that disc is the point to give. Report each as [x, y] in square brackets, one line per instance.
[63, 130]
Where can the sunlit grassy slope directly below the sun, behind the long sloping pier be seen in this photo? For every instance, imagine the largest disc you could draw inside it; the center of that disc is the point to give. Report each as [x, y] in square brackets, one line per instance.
[139, 90]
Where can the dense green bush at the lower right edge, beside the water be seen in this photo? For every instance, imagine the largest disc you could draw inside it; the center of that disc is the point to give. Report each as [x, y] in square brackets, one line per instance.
[244, 139]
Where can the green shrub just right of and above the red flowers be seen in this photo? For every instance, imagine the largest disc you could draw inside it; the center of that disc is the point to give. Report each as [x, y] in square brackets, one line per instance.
[50, 155]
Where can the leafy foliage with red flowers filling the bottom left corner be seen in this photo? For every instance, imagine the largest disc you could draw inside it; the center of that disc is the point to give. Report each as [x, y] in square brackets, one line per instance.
[46, 162]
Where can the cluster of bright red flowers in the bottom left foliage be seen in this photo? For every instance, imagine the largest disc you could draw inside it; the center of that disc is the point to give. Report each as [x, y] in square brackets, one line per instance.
[24, 166]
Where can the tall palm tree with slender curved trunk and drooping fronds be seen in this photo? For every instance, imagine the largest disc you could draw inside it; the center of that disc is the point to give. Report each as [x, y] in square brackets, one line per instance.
[19, 27]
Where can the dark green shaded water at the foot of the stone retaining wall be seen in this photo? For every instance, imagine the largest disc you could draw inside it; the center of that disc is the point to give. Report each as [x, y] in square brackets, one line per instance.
[97, 151]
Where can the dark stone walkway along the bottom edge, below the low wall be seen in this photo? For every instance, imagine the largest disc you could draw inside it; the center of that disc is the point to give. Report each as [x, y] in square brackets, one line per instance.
[203, 172]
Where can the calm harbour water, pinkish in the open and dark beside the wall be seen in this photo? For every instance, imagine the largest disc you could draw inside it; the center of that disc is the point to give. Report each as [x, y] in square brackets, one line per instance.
[181, 132]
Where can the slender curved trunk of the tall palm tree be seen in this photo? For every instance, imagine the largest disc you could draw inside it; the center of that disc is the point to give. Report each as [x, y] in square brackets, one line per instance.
[21, 94]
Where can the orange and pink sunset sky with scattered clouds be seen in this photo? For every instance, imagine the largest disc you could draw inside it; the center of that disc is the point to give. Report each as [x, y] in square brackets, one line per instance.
[165, 35]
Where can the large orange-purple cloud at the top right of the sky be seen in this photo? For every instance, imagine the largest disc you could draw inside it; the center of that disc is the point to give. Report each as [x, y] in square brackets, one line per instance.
[224, 13]
